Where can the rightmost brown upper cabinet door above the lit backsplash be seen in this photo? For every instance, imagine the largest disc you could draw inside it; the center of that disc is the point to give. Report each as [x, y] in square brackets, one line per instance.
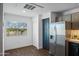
[75, 21]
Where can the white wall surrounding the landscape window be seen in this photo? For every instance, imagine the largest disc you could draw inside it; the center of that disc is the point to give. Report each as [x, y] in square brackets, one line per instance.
[12, 42]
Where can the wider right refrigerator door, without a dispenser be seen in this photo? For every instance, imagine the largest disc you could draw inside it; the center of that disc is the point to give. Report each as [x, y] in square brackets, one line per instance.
[60, 39]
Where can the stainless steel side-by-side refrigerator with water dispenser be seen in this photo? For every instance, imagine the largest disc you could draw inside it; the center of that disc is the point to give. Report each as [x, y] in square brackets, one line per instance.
[57, 38]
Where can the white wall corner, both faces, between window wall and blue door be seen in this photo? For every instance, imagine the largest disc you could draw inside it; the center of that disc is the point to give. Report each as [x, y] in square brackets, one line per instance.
[37, 32]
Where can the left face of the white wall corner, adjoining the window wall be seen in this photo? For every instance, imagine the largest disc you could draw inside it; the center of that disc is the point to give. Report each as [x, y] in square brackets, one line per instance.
[35, 31]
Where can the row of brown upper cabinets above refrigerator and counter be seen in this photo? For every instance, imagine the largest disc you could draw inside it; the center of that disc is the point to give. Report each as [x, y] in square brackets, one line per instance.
[73, 18]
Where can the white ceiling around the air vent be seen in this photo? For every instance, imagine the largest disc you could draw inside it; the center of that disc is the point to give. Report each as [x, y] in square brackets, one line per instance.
[18, 8]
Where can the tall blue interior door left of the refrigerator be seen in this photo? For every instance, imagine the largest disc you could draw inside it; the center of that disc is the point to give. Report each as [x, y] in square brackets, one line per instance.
[46, 33]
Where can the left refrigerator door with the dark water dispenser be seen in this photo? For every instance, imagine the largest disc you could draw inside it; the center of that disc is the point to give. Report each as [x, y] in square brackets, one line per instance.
[52, 41]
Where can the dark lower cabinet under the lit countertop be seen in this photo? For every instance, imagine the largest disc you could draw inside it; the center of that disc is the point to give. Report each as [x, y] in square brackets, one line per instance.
[73, 49]
